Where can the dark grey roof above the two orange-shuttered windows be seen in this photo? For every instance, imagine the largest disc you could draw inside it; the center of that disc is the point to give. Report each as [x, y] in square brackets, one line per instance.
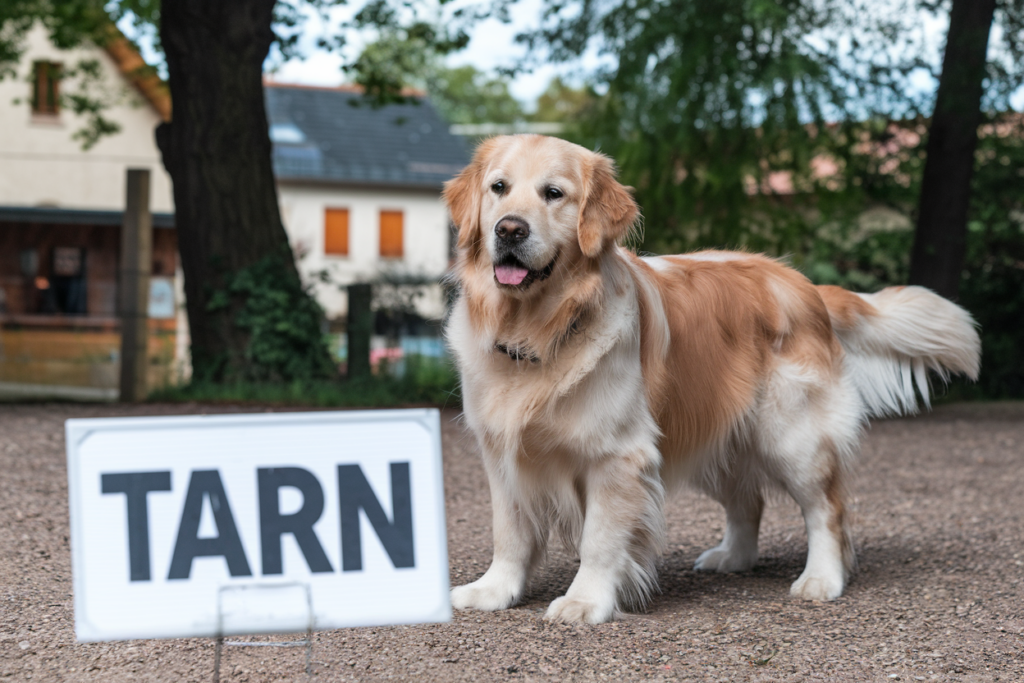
[331, 136]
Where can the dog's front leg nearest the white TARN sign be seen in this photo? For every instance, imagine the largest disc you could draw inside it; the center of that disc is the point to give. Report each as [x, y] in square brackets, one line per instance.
[519, 549]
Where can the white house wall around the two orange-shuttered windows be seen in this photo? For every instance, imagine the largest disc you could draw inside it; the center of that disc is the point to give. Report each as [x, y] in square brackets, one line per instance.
[425, 235]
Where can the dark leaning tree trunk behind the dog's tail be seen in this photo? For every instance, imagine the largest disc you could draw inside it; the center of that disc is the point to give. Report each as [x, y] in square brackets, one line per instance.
[946, 193]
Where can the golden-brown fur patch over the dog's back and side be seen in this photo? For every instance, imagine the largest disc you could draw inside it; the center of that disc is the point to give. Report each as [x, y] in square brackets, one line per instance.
[728, 324]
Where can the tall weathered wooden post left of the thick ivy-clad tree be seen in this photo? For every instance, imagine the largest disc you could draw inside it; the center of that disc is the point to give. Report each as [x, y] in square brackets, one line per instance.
[137, 265]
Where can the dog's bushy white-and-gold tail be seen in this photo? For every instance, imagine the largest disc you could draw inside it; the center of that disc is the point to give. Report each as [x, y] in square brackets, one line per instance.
[894, 337]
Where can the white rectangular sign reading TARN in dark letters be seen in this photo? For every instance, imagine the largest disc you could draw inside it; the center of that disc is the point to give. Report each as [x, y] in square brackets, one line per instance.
[257, 524]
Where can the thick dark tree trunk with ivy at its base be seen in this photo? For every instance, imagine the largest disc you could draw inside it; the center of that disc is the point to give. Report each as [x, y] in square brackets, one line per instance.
[218, 151]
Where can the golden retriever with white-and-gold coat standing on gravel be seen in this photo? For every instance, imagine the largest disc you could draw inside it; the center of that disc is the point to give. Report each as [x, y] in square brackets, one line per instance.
[596, 381]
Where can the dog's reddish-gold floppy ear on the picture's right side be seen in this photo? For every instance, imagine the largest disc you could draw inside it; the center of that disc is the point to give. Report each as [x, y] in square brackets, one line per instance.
[608, 209]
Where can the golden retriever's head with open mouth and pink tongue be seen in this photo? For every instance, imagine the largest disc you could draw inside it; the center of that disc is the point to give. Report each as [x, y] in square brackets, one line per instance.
[526, 202]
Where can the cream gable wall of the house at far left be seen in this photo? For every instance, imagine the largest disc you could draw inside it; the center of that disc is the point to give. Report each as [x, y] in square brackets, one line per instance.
[41, 165]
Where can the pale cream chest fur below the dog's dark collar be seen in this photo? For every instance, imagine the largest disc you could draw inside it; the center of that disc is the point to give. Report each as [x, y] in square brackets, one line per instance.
[588, 401]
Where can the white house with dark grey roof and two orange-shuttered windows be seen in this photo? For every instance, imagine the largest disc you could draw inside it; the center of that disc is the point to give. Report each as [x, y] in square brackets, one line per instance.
[360, 190]
